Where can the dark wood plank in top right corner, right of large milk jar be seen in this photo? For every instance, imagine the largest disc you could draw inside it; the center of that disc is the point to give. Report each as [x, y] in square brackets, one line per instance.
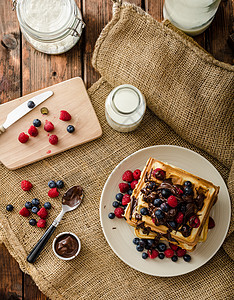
[218, 32]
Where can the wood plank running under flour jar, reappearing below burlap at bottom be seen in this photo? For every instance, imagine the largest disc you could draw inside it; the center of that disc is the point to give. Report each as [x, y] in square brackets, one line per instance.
[39, 71]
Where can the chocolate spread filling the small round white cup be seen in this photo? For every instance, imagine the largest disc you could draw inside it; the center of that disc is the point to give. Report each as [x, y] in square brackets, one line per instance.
[66, 245]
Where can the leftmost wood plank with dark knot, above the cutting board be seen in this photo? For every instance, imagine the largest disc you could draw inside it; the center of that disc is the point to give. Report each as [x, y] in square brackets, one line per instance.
[9, 53]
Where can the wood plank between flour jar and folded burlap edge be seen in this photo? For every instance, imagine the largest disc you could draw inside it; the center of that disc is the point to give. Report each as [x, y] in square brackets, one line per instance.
[97, 13]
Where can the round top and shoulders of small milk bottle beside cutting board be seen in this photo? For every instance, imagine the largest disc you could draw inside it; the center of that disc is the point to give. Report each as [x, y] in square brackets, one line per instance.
[125, 105]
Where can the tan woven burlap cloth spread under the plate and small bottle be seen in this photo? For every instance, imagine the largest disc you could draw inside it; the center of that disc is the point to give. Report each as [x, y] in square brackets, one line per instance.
[194, 97]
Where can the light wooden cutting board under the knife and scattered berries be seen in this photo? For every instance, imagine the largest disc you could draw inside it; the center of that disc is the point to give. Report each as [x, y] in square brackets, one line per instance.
[69, 95]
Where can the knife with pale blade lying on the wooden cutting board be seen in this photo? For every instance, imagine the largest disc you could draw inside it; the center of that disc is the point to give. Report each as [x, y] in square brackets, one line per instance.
[23, 109]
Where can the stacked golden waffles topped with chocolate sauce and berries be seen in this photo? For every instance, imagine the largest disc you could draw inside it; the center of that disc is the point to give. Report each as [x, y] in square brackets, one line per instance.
[196, 204]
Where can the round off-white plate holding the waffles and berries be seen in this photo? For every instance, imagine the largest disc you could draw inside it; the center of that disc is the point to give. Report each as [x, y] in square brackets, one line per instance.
[119, 234]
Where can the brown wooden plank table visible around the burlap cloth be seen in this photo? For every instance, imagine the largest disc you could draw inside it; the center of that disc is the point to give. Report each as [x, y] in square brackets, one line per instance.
[24, 70]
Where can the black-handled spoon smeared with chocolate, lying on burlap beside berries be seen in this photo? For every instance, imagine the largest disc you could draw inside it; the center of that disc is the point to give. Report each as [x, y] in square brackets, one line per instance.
[70, 201]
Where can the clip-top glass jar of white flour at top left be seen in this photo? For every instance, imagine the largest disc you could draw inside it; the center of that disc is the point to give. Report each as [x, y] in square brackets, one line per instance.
[50, 26]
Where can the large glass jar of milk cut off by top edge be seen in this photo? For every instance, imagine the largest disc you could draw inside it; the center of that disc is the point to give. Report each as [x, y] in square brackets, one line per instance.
[191, 16]
